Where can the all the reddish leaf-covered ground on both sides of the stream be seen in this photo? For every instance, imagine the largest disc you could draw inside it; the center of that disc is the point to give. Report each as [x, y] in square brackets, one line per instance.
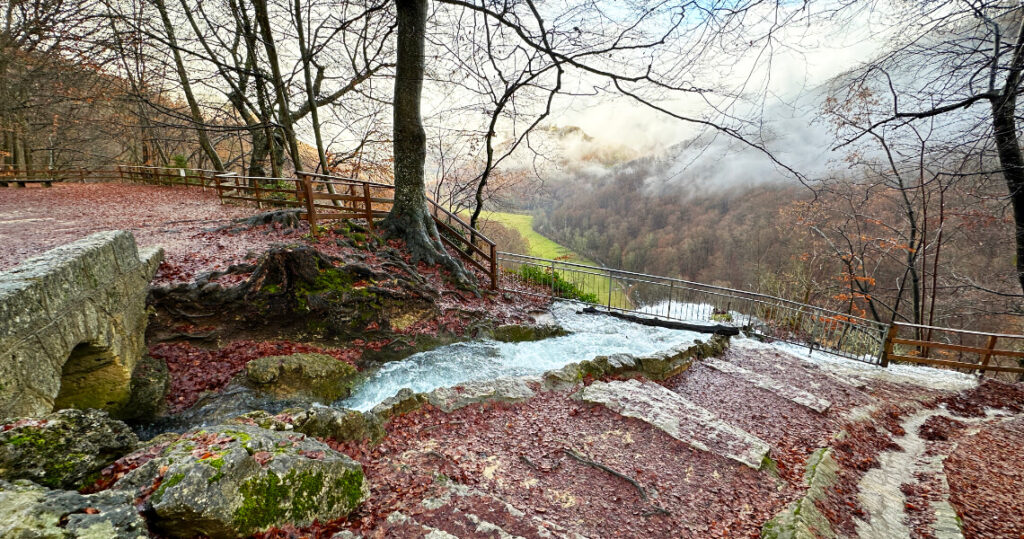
[568, 467]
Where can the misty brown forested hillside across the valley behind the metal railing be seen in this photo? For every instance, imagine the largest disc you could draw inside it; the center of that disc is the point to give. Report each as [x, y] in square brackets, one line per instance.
[857, 245]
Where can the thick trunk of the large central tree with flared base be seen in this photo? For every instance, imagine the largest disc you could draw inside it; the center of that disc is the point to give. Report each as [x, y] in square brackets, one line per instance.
[410, 219]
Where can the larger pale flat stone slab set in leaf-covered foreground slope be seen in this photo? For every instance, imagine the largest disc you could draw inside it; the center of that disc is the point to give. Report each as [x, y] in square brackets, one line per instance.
[678, 418]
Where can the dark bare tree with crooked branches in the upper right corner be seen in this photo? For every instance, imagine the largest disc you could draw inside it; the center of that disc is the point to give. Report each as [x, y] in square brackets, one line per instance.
[948, 60]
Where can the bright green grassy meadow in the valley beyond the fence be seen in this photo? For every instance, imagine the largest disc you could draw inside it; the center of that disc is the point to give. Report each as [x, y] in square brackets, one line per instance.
[544, 247]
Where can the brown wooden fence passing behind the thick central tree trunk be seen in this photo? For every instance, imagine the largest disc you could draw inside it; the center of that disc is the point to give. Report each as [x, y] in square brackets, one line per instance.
[322, 198]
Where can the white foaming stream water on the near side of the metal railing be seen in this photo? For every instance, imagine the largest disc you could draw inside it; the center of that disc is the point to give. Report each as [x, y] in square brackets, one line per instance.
[592, 336]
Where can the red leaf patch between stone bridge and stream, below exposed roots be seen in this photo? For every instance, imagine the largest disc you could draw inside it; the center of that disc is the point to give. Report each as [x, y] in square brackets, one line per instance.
[196, 371]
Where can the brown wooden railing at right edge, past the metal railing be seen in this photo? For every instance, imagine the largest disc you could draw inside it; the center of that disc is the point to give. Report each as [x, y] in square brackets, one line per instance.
[956, 349]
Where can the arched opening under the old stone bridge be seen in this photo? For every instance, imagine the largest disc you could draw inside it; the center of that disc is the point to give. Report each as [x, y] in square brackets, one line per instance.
[93, 378]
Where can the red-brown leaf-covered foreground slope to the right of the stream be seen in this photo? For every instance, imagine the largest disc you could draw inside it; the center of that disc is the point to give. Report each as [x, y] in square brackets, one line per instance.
[519, 453]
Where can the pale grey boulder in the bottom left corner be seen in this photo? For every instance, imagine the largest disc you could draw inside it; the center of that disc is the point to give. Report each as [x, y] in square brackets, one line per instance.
[32, 512]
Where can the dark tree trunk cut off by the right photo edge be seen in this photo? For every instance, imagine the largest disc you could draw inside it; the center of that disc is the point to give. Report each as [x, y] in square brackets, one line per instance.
[1005, 130]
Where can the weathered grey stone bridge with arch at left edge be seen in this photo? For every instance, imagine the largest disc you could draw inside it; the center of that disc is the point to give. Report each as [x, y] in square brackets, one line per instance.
[72, 326]
